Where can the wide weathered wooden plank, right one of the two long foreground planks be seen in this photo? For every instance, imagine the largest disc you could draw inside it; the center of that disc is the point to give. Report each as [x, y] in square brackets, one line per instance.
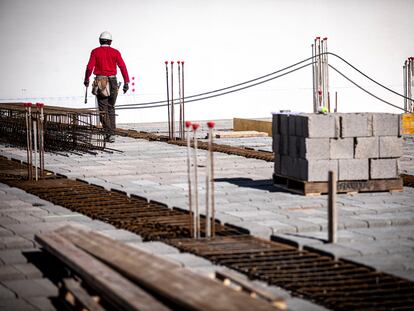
[183, 288]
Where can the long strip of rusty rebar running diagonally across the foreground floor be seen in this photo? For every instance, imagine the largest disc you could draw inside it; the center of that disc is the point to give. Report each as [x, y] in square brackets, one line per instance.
[336, 284]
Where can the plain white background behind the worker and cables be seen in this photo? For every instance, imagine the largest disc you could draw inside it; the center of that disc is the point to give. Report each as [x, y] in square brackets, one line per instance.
[46, 45]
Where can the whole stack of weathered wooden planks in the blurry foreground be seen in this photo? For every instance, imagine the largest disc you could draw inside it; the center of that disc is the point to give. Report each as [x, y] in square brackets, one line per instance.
[125, 278]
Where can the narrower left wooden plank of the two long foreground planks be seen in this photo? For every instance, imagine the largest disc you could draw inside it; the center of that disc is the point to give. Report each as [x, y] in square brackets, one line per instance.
[119, 291]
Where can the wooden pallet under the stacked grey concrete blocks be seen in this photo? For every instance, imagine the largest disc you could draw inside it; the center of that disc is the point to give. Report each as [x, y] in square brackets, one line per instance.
[309, 188]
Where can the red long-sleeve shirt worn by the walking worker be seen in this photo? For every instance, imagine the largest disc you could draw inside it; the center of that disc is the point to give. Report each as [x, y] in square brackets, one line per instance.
[103, 62]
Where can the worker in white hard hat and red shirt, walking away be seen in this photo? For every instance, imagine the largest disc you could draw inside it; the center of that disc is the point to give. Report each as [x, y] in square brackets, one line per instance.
[103, 62]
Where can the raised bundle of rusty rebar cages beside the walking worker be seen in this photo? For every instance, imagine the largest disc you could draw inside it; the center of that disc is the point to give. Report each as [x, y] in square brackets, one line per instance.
[63, 129]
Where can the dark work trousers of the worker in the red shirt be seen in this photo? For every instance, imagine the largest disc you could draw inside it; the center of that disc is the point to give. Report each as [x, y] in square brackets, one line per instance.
[107, 107]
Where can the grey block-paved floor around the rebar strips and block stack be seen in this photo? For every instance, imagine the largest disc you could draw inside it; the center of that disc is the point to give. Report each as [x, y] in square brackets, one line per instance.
[375, 229]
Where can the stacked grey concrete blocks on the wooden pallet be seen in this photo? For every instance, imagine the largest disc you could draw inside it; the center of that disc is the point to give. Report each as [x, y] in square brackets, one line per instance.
[357, 146]
